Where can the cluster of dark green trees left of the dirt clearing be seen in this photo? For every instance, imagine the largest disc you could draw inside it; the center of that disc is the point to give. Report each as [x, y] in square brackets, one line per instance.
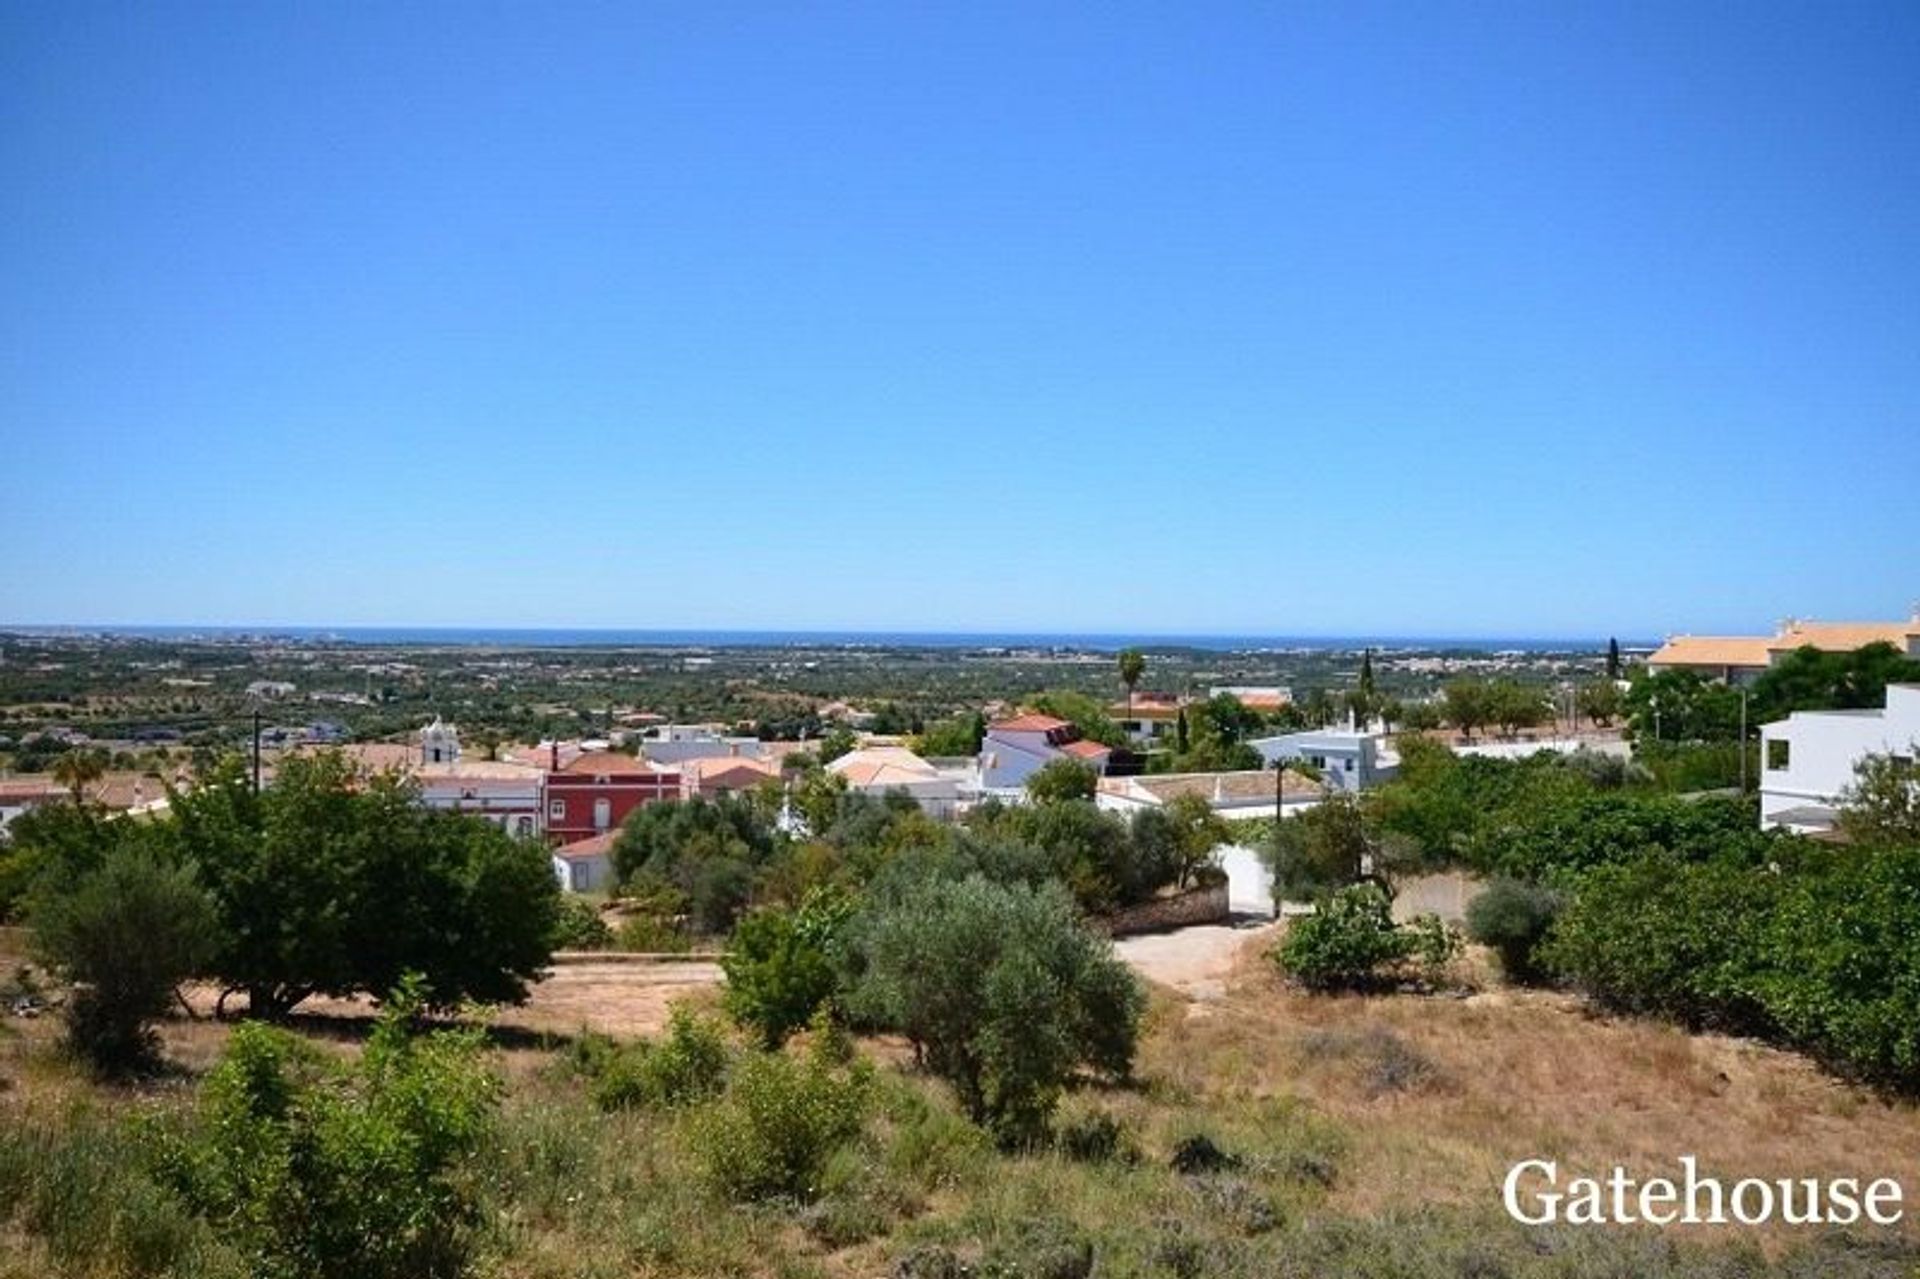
[324, 884]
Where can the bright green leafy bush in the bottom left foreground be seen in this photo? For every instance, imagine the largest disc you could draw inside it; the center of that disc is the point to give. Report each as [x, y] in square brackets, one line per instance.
[322, 1170]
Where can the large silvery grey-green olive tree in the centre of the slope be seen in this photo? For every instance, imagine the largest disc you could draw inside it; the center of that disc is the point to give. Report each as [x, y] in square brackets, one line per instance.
[1003, 992]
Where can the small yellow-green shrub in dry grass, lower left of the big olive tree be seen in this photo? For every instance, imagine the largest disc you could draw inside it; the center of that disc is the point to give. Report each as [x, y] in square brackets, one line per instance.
[779, 1124]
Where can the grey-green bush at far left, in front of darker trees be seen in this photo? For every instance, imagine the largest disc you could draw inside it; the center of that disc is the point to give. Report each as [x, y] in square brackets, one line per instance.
[126, 934]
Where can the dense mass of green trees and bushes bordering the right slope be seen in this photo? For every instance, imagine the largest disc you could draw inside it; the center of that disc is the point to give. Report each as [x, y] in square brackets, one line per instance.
[1646, 902]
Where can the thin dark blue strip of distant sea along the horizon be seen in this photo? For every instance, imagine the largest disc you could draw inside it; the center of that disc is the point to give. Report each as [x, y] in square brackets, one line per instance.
[575, 639]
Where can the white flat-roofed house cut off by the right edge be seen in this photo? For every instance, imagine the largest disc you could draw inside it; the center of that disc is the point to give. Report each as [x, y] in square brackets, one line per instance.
[1808, 760]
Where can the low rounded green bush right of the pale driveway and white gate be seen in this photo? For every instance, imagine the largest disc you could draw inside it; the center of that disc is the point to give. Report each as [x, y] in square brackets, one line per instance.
[1353, 944]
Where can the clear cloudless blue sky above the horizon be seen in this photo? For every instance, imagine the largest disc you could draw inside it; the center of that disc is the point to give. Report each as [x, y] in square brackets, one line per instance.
[1545, 320]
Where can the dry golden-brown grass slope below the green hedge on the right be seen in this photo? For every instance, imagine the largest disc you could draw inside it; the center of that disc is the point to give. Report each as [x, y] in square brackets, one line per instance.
[1524, 1074]
